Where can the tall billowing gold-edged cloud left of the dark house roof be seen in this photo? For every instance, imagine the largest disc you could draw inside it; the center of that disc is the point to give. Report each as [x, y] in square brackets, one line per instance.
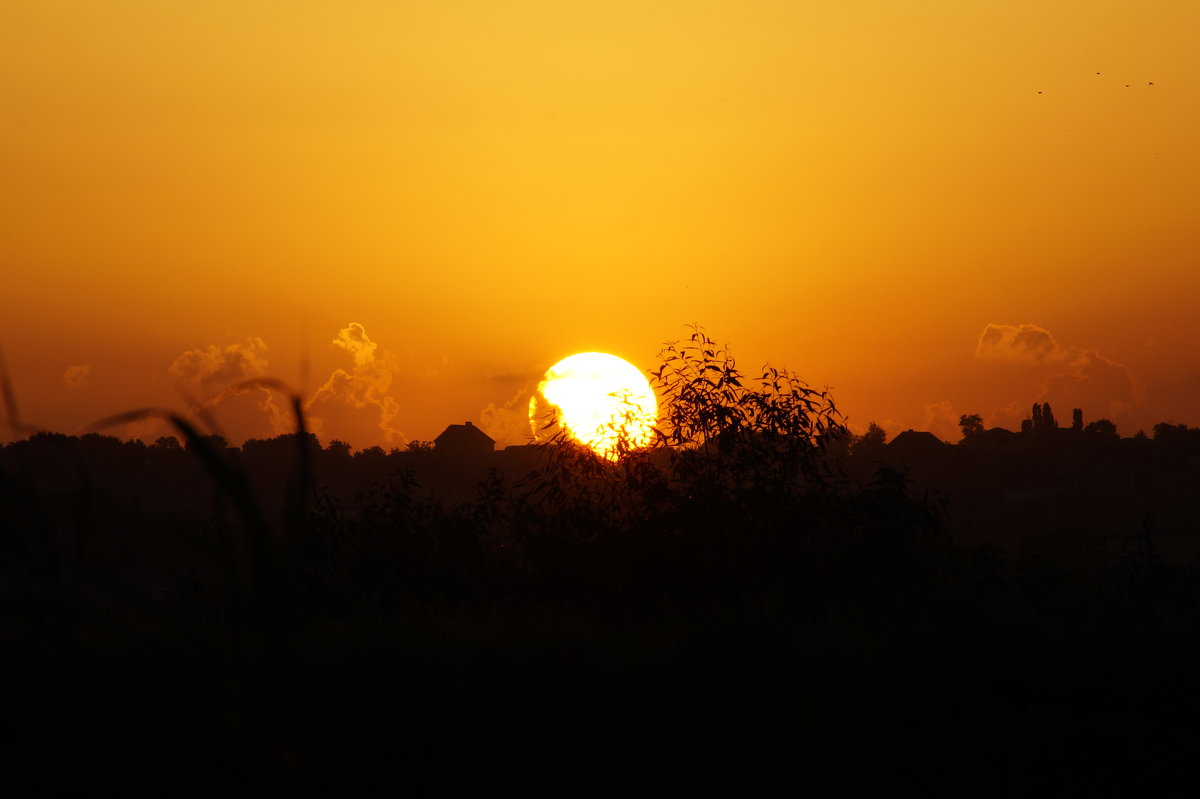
[364, 388]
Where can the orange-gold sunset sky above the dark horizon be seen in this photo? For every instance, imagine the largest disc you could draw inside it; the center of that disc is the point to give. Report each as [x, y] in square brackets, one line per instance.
[191, 194]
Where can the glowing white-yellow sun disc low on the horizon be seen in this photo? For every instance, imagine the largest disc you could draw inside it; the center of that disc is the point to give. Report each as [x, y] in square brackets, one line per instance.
[599, 400]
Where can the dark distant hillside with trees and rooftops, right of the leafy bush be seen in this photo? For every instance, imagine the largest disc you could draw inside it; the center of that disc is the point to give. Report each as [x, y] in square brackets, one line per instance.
[1048, 486]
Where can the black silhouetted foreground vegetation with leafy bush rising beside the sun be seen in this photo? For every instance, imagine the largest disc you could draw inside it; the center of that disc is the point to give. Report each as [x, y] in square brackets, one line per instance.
[728, 612]
